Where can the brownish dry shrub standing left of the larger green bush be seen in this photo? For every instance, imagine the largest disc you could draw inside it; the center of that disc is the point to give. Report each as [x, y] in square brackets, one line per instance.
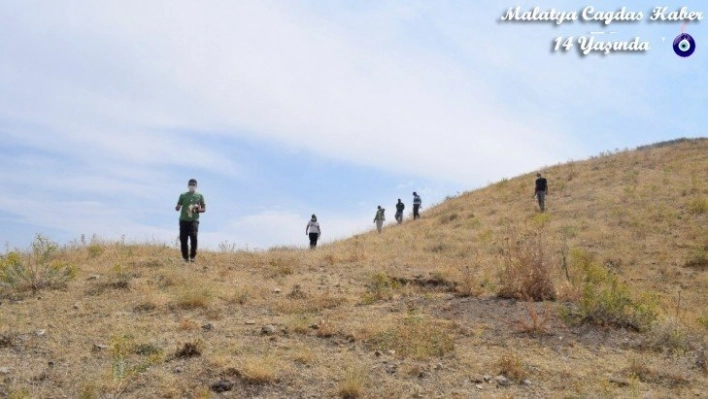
[526, 272]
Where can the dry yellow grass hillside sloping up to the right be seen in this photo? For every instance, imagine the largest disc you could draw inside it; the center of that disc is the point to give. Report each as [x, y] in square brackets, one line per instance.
[604, 295]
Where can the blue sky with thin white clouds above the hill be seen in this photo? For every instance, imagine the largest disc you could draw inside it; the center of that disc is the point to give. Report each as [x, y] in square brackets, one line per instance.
[282, 109]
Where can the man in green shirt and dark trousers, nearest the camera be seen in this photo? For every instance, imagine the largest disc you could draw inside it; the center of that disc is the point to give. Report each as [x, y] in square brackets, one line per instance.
[191, 204]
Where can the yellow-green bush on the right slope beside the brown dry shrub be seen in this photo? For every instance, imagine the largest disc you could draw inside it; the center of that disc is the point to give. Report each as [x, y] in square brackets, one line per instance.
[607, 301]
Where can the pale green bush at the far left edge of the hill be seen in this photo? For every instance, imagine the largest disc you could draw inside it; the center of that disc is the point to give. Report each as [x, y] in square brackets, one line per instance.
[39, 270]
